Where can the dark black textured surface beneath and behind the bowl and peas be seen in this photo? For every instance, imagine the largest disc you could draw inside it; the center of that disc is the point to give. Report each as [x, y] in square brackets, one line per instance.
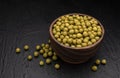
[27, 22]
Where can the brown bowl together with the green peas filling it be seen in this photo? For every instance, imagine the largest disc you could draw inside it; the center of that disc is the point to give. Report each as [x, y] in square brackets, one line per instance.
[76, 37]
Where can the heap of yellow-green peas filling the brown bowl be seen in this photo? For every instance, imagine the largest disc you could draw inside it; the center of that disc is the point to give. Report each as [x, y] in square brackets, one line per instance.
[77, 30]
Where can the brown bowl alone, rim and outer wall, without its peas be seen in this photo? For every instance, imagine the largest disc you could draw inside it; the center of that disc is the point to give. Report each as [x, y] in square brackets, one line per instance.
[75, 55]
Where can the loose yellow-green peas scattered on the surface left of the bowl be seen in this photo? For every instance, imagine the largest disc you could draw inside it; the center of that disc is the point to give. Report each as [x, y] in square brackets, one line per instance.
[46, 51]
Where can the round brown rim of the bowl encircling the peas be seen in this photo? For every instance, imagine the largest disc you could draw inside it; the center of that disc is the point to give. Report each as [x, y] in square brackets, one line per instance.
[77, 48]
